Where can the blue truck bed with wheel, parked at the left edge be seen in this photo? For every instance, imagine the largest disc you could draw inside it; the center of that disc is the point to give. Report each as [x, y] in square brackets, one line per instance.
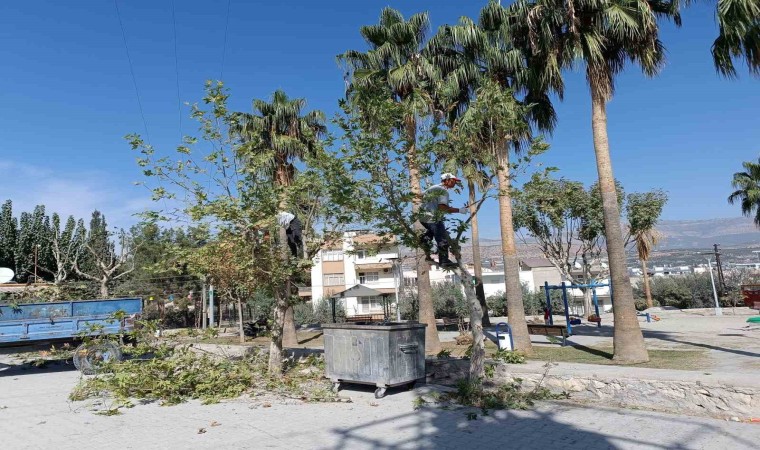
[36, 323]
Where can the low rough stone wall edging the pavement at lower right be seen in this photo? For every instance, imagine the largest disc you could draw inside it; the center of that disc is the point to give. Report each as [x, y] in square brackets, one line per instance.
[712, 398]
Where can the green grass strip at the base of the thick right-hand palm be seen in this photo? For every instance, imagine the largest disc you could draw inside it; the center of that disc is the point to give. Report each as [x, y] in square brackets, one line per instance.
[658, 359]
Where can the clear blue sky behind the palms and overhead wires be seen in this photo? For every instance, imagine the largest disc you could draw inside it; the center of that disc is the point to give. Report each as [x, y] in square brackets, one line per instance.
[68, 98]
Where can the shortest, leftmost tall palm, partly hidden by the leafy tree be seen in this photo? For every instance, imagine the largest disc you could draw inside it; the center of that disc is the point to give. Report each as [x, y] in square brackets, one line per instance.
[279, 132]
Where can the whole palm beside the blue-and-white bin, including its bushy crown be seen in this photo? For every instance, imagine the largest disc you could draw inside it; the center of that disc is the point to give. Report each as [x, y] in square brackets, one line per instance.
[483, 58]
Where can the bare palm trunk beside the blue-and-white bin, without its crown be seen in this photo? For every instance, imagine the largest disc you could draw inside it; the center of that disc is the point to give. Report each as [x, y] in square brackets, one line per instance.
[515, 307]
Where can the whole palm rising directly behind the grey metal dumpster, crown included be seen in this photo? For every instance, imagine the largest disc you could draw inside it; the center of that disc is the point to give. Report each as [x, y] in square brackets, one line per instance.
[398, 64]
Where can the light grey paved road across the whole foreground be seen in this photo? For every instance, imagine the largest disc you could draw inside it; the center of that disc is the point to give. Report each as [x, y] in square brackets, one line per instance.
[35, 413]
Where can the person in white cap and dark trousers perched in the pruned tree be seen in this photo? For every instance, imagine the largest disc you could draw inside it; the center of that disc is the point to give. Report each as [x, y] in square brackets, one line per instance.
[435, 205]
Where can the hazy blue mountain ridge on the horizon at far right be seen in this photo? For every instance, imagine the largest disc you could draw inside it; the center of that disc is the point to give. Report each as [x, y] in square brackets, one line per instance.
[679, 234]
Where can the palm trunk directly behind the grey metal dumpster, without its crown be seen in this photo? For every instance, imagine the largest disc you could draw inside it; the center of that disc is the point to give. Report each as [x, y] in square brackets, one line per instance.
[424, 291]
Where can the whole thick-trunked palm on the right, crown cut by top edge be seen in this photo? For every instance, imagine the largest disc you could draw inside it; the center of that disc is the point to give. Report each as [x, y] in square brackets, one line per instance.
[604, 35]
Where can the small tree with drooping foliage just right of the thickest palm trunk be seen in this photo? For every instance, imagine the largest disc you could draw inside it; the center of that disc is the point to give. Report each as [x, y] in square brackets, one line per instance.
[643, 211]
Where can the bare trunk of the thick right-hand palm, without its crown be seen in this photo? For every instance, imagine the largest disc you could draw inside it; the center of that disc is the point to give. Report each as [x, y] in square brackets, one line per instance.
[628, 341]
